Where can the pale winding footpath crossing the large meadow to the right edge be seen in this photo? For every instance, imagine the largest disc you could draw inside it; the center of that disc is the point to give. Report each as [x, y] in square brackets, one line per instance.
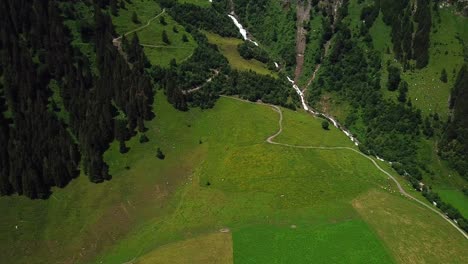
[271, 138]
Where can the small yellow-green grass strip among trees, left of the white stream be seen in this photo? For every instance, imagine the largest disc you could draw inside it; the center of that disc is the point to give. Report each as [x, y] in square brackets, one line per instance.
[228, 47]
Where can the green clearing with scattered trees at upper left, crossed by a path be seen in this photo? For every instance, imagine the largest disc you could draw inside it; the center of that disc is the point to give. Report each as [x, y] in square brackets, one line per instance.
[157, 52]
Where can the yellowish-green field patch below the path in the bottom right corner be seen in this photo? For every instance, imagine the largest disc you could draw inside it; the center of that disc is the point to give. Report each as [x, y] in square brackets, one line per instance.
[408, 239]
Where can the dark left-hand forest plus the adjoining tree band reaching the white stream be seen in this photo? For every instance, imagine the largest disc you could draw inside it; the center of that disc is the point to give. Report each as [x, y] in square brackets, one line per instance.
[104, 95]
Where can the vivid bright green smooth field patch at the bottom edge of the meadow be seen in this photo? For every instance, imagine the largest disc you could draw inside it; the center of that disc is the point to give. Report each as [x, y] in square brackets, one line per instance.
[350, 241]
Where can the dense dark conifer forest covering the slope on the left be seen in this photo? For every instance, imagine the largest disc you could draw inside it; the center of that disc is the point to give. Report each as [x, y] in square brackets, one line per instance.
[36, 51]
